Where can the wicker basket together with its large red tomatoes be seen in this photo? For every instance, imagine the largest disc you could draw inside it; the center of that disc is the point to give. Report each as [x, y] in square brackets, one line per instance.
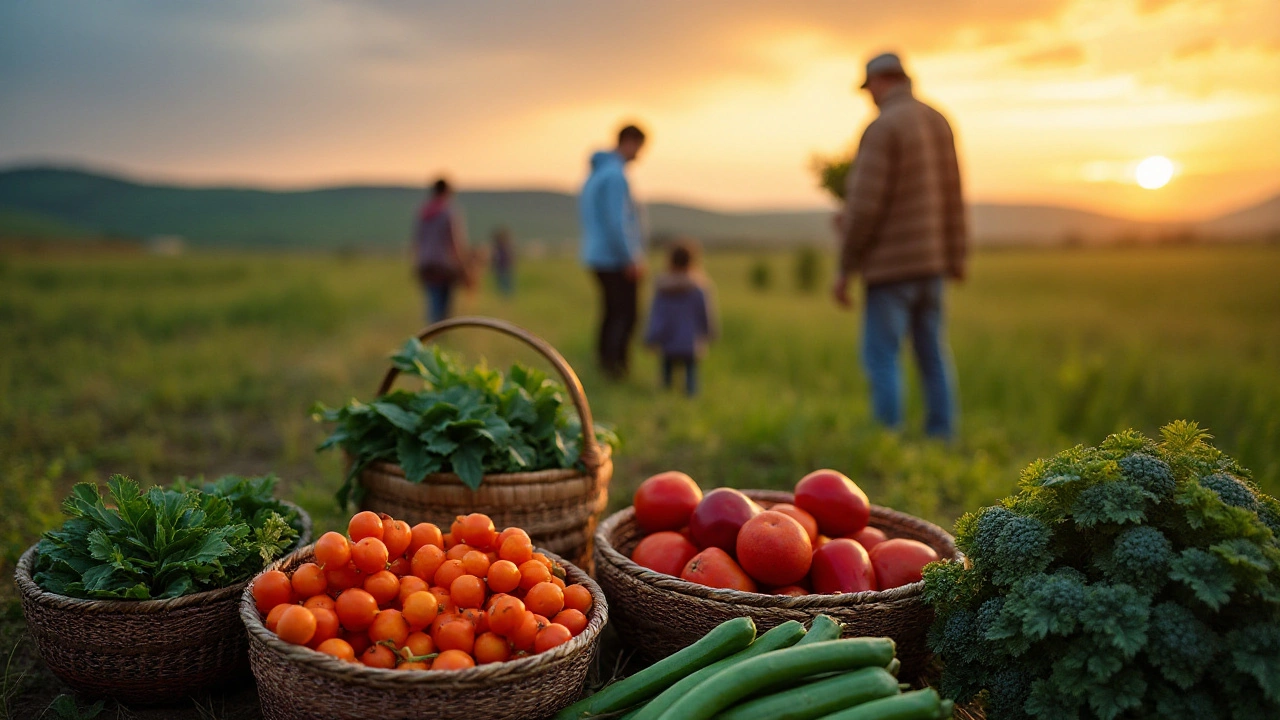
[678, 563]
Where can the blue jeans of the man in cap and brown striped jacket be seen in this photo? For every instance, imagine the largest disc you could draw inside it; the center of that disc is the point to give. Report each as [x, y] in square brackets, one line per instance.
[893, 312]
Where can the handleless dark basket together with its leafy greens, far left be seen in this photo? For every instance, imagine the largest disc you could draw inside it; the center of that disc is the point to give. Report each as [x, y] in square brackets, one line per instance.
[138, 595]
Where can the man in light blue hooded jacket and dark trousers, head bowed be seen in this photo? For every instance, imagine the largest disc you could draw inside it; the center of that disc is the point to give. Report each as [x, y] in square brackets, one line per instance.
[612, 248]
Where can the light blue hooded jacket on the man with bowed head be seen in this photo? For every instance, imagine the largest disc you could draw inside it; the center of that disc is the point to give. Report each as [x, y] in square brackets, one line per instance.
[611, 231]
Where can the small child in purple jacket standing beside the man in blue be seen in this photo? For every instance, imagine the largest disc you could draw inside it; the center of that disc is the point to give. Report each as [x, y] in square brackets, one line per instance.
[680, 318]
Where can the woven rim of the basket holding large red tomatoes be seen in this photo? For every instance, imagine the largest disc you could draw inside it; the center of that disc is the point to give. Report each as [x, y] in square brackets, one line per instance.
[671, 584]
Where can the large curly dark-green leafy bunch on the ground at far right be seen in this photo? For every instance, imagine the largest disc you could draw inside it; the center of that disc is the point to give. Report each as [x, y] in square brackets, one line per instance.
[1137, 580]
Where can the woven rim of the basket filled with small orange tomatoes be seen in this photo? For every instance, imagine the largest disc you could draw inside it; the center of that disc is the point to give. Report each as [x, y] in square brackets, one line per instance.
[346, 672]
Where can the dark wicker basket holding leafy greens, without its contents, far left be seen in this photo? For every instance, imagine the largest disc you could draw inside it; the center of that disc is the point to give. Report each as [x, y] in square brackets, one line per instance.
[149, 651]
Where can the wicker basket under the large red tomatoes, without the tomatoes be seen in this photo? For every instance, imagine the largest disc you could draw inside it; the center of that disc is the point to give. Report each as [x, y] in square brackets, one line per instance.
[659, 614]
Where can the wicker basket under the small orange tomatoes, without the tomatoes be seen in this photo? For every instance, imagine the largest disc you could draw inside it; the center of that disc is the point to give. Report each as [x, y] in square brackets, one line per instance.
[298, 683]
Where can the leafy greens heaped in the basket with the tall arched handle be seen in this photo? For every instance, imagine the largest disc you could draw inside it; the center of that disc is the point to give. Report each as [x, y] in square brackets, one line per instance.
[467, 421]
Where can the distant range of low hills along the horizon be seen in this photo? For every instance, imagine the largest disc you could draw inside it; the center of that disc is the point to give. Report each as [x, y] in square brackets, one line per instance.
[66, 204]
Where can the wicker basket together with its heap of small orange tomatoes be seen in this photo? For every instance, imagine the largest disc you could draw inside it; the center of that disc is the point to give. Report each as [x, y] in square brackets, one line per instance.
[413, 622]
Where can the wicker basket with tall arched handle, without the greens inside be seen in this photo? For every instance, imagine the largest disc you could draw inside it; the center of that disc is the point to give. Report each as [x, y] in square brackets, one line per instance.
[559, 509]
